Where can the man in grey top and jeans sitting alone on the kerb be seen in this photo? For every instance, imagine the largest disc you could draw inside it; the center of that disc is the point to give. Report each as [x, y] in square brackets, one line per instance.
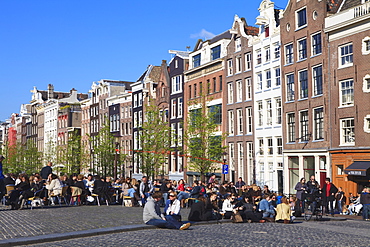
[152, 214]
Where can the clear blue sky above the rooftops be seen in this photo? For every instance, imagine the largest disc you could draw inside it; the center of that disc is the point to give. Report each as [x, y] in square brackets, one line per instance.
[71, 43]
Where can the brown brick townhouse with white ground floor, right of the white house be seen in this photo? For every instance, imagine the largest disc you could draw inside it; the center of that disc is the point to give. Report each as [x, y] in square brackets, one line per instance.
[305, 92]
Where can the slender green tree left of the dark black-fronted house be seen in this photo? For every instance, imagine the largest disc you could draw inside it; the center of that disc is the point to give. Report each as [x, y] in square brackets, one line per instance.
[154, 140]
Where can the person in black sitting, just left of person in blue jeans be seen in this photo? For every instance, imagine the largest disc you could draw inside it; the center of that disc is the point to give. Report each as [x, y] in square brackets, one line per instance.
[247, 211]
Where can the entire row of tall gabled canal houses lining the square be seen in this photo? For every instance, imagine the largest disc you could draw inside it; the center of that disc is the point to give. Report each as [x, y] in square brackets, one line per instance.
[292, 94]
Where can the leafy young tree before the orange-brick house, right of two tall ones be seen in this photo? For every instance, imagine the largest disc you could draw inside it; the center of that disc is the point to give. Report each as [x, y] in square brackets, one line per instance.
[202, 145]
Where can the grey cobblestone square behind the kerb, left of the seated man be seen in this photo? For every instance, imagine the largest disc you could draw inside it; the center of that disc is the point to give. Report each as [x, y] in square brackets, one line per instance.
[64, 219]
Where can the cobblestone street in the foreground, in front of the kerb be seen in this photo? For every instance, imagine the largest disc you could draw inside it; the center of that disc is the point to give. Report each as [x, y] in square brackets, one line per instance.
[329, 233]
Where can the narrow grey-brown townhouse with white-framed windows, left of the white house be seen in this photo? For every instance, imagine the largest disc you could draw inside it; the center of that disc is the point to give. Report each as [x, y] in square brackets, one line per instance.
[238, 101]
